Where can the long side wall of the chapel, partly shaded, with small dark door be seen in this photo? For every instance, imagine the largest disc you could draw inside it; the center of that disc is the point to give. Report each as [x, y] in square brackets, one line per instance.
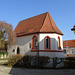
[23, 44]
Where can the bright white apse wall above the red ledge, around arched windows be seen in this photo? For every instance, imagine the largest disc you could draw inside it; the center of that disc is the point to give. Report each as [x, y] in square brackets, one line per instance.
[53, 39]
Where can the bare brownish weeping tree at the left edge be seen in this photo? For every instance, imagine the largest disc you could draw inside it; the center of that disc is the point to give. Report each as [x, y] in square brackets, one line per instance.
[6, 34]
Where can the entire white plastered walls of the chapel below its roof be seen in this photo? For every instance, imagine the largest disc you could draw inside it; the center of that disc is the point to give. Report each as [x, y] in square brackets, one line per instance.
[23, 44]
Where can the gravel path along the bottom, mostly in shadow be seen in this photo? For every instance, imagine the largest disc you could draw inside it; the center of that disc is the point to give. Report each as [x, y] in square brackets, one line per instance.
[20, 71]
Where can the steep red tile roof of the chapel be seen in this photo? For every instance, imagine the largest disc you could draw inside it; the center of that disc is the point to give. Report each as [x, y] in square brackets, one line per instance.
[39, 23]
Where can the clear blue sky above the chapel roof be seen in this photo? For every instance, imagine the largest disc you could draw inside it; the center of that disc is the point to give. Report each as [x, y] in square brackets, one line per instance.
[62, 12]
